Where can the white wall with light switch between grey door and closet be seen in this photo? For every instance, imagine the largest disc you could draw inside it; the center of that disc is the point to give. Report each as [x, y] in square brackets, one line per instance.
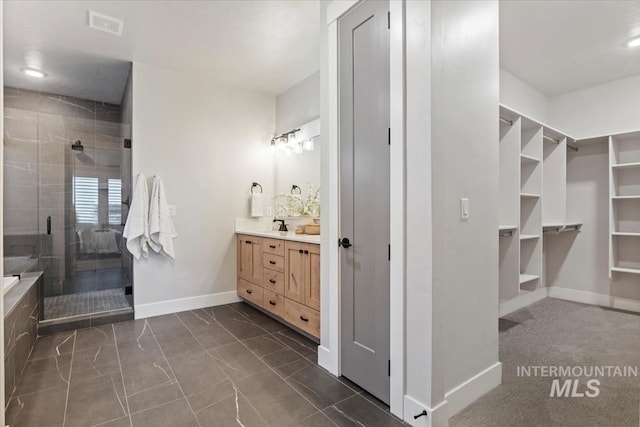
[465, 96]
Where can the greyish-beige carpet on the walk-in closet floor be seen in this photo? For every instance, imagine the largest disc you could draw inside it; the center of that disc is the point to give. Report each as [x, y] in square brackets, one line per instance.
[560, 333]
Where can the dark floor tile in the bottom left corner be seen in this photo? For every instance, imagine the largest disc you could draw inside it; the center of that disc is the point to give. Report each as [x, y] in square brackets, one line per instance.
[45, 408]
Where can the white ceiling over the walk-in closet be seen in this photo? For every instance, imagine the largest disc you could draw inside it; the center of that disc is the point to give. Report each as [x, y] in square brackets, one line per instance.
[561, 46]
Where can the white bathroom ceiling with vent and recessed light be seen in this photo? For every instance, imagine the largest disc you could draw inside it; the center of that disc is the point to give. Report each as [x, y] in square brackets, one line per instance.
[262, 45]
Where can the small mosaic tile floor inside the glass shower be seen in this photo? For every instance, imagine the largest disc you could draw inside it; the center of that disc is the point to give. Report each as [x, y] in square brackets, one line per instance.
[84, 303]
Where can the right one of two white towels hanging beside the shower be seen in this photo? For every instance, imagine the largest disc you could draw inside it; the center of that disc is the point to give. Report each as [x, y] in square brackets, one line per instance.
[161, 229]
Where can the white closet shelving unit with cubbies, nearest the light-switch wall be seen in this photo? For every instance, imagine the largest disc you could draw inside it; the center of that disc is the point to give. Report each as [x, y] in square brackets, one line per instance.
[533, 163]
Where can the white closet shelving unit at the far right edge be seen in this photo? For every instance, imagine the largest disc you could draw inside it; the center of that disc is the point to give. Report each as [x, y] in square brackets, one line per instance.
[624, 203]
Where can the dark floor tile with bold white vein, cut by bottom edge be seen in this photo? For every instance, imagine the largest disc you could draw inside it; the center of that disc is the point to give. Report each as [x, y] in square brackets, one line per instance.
[231, 411]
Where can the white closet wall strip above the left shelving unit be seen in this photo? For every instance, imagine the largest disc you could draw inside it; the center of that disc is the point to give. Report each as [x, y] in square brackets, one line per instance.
[518, 95]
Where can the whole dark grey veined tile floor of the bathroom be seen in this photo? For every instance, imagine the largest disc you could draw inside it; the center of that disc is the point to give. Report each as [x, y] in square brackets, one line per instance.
[223, 366]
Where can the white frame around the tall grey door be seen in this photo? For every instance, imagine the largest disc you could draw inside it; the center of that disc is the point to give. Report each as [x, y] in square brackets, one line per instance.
[329, 350]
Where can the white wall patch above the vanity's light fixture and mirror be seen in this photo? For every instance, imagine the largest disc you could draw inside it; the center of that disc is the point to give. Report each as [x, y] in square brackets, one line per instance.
[299, 104]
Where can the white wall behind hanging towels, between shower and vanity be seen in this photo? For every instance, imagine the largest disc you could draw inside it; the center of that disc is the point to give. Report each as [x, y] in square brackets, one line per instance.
[208, 143]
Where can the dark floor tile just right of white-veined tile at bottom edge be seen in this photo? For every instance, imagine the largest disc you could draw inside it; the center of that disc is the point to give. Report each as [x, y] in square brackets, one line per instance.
[277, 402]
